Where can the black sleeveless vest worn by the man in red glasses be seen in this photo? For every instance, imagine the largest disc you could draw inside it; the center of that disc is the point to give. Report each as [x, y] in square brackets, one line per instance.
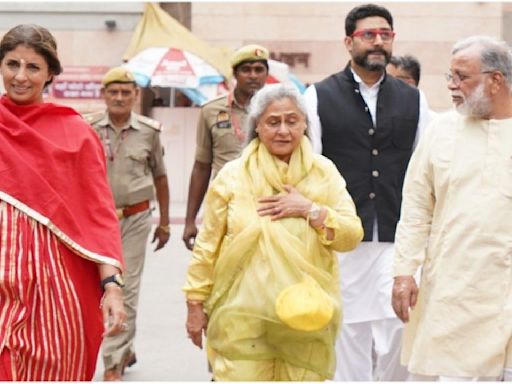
[373, 160]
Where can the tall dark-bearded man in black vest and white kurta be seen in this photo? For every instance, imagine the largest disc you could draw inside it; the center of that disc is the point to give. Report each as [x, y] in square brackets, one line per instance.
[367, 123]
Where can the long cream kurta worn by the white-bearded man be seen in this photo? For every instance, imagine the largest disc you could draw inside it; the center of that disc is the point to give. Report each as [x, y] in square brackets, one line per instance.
[458, 199]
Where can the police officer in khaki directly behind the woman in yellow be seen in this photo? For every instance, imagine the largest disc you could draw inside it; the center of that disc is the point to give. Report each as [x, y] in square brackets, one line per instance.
[221, 129]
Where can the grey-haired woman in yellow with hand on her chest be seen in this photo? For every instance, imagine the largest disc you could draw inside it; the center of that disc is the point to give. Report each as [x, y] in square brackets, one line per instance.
[263, 280]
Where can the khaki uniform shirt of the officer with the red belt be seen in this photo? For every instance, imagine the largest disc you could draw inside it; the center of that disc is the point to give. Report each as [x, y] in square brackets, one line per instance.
[134, 156]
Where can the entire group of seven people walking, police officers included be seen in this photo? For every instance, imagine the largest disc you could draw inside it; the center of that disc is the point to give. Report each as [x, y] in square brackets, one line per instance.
[348, 234]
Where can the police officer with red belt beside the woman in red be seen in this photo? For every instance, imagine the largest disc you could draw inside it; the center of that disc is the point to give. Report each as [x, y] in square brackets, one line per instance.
[135, 169]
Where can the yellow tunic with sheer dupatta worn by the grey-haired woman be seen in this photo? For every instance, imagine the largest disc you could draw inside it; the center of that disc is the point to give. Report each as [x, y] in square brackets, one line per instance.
[242, 261]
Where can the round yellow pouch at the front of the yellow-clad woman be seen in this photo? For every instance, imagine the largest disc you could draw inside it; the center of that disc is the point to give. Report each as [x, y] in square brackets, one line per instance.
[305, 306]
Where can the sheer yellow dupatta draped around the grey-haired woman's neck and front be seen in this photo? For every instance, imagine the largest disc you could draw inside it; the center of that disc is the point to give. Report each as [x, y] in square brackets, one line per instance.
[266, 257]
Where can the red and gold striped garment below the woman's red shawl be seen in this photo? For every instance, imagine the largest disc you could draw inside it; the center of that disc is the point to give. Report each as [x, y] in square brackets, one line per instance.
[50, 321]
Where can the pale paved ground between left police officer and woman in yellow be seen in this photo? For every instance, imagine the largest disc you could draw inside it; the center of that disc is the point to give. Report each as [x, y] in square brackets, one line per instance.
[164, 352]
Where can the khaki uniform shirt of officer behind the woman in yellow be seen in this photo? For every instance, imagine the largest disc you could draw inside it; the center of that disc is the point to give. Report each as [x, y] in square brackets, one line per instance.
[217, 139]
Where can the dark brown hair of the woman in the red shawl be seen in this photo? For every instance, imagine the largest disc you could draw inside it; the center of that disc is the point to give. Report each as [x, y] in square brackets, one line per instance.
[36, 37]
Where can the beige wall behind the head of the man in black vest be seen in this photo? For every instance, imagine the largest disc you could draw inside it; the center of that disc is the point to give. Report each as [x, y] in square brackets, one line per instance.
[424, 29]
